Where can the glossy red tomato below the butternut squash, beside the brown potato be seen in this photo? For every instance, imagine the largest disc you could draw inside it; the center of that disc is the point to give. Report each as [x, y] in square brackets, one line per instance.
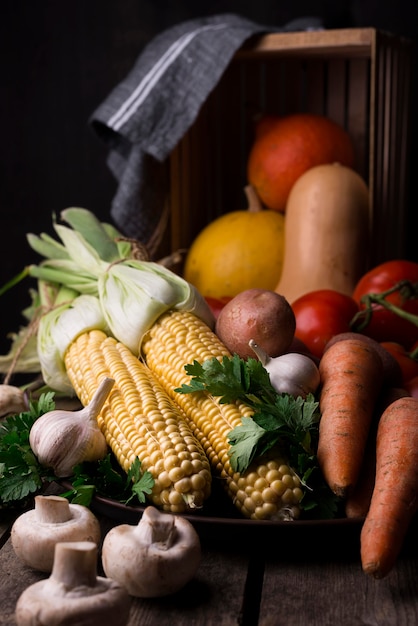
[320, 315]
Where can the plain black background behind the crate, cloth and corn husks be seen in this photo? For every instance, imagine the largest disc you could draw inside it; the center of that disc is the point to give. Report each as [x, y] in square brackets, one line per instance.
[59, 60]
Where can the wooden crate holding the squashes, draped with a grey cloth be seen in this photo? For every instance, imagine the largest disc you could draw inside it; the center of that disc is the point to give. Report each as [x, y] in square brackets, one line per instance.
[359, 78]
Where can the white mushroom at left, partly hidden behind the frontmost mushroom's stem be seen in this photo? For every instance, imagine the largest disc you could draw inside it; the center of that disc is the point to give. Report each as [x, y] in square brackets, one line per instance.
[35, 533]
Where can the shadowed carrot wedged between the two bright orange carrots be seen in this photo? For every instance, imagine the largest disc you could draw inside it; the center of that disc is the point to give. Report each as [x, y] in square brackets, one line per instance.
[358, 501]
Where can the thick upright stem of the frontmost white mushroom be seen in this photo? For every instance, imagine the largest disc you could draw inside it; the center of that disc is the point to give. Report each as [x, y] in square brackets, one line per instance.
[75, 564]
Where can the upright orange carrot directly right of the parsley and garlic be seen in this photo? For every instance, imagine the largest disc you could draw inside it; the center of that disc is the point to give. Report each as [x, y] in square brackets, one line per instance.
[351, 378]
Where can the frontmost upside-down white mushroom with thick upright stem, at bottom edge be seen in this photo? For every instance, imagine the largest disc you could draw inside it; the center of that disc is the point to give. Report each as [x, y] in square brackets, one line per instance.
[74, 594]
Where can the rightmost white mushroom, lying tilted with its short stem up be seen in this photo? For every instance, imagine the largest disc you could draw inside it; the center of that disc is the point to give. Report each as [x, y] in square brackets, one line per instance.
[157, 557]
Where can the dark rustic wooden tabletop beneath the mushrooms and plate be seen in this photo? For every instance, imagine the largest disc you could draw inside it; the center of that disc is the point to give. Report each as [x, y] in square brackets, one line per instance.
[297, 575]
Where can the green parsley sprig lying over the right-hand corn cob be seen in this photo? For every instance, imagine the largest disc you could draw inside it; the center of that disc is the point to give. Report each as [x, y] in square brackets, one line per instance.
[279, 421]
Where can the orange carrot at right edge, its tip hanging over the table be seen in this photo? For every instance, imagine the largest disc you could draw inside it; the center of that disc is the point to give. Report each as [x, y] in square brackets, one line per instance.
[395, 494]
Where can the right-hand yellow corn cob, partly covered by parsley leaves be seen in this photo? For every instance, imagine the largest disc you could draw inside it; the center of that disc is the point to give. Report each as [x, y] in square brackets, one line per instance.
[269, 488]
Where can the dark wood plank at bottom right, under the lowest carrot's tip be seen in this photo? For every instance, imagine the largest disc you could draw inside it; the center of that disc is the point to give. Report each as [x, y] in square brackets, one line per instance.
[344, 596]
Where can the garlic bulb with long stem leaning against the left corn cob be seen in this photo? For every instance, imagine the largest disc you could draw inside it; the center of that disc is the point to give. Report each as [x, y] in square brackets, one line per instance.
[63, 439]
